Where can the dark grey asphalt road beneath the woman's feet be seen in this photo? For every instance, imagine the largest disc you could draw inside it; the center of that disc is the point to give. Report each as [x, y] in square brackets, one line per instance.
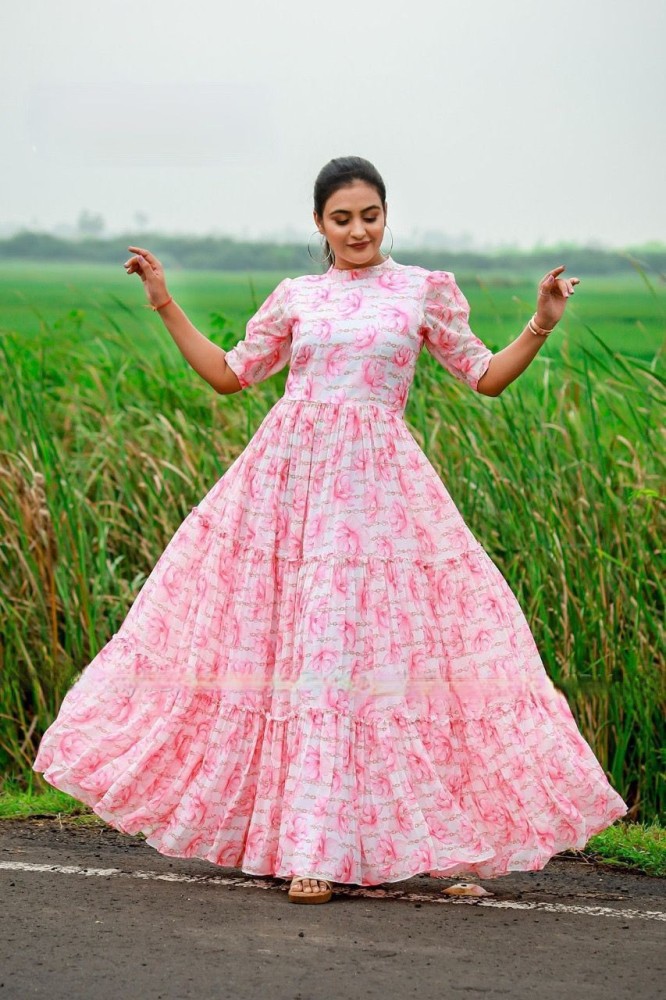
[108, 917]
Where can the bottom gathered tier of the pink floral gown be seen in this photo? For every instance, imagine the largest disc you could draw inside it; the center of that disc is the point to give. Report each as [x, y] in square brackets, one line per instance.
[351, 800]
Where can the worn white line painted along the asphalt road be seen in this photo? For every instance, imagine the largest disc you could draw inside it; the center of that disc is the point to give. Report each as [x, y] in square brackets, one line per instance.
[251, 882]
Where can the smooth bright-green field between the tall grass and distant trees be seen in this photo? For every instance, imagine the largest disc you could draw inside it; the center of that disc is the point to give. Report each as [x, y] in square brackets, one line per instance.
[628, 313]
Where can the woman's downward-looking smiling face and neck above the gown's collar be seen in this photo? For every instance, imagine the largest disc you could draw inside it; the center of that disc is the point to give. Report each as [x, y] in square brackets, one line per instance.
[354, 214]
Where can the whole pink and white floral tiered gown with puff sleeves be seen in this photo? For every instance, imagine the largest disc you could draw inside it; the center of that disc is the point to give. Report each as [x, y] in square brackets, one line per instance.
[325, 673]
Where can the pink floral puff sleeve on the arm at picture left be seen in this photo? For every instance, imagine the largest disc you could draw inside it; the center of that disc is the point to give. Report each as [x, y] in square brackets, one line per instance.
[266, 347]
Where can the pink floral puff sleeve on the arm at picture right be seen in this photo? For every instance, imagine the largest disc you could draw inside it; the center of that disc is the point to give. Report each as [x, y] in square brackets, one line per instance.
[447, 335]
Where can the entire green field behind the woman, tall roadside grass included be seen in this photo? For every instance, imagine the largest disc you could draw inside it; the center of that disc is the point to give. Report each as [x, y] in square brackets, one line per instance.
[108, 438]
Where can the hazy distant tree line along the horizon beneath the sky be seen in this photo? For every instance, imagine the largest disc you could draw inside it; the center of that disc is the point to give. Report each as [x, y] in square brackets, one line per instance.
[222, 253]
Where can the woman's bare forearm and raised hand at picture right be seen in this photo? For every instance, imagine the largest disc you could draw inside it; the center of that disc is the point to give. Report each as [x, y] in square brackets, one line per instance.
[506, 365]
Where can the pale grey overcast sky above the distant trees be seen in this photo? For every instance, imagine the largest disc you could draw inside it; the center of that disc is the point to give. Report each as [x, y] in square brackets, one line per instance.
[515, 122]
